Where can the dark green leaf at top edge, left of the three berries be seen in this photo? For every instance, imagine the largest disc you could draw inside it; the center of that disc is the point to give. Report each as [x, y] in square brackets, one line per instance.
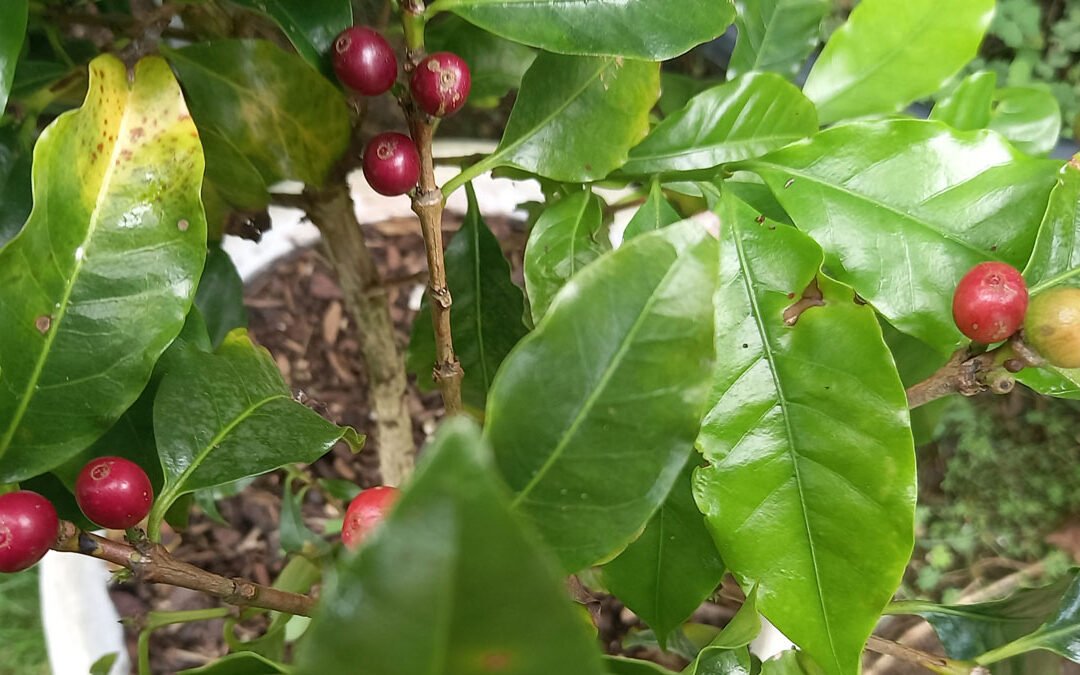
[310, 25]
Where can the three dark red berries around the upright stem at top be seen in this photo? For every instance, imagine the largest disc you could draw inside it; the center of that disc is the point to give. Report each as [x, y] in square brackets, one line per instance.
[366, 63]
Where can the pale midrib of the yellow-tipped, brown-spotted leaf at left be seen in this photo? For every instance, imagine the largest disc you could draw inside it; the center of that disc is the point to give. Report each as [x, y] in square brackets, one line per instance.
[55, 328]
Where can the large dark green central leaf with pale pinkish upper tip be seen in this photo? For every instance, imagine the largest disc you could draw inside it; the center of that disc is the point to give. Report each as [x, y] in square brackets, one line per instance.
[627, 340]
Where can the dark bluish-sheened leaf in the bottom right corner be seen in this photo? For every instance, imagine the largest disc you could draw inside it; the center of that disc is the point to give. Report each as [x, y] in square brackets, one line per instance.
[969, 631]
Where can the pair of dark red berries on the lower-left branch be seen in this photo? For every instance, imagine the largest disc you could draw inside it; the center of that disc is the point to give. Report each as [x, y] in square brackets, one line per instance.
[112, 492]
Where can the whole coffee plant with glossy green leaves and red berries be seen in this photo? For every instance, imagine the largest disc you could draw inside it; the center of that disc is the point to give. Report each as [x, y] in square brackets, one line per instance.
[725, 387]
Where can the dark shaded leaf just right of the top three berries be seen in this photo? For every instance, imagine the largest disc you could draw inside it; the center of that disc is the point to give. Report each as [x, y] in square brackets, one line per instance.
[496, 65]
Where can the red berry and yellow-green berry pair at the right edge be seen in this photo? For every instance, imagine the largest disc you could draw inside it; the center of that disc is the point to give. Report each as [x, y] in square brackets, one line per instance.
[992, 304]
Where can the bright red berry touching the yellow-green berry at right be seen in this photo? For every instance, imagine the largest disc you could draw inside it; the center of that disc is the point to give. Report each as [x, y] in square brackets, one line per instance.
[990, 303]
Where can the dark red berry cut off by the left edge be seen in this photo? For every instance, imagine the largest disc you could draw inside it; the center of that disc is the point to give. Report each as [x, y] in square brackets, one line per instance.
[29, 526]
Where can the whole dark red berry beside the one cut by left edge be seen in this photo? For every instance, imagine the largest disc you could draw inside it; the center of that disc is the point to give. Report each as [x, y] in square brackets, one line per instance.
[114, 493]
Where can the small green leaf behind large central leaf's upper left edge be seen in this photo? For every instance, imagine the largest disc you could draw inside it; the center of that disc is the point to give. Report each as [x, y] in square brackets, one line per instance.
[568, 237]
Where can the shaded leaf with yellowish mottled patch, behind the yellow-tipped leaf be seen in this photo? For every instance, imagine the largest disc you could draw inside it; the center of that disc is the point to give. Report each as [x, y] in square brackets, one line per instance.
[287, 119]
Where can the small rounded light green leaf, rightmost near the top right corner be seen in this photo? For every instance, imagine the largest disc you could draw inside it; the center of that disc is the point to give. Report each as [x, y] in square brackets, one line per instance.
[1031, 118]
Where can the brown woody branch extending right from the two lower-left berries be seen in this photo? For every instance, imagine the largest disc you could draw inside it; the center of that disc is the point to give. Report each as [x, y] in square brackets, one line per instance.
[153, 563]
